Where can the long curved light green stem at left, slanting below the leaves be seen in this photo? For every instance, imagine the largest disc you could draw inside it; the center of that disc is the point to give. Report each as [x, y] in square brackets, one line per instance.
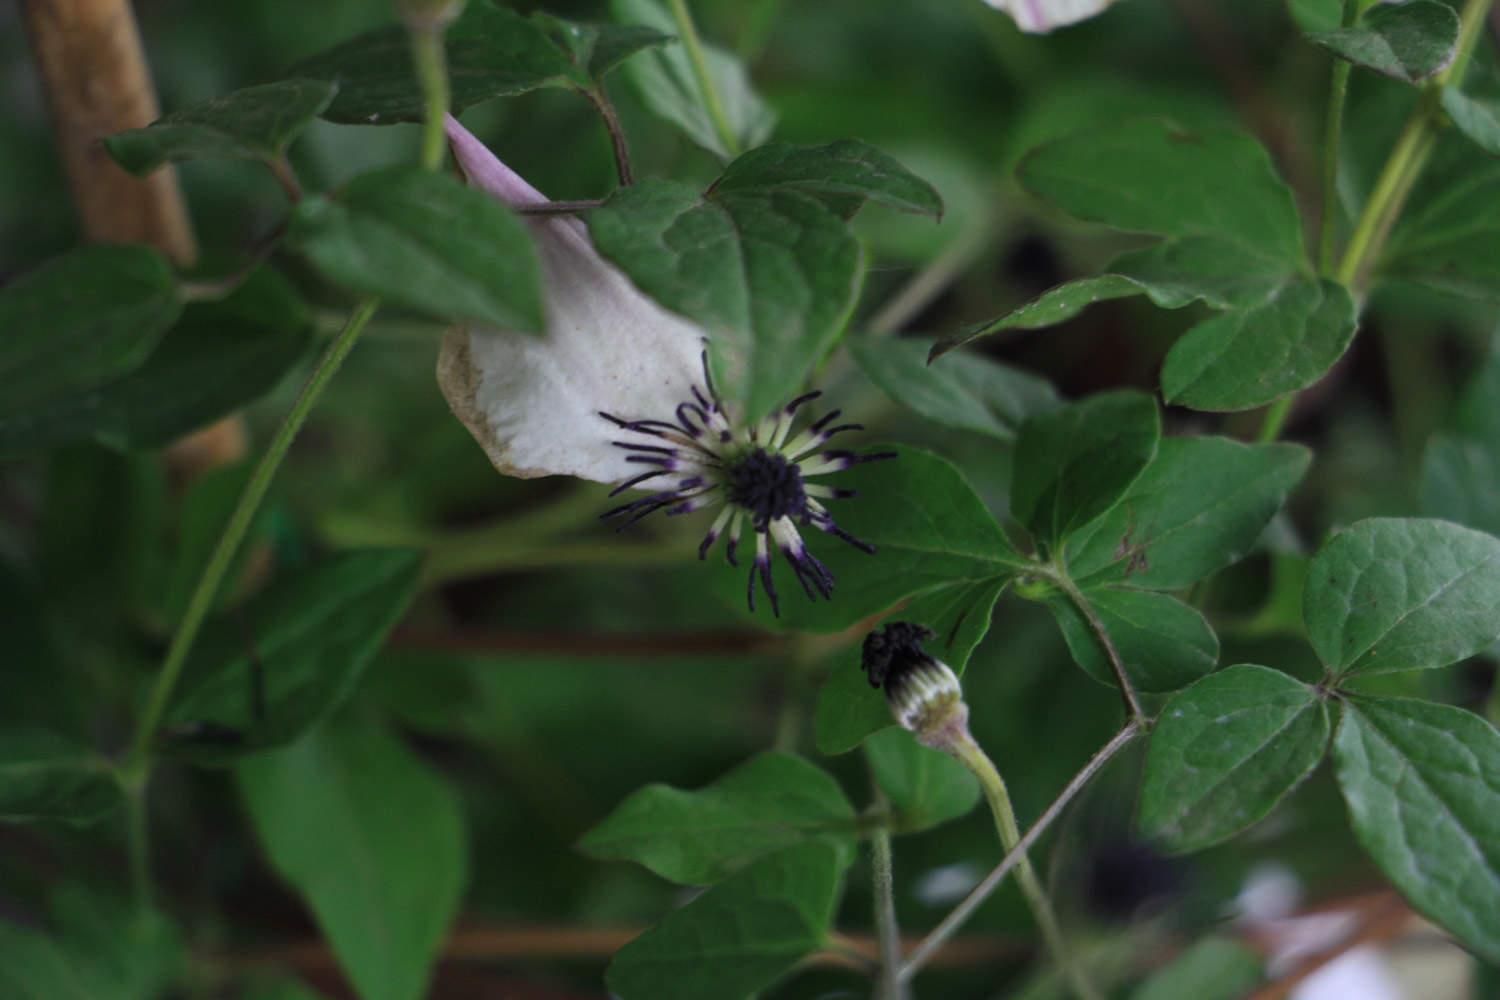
[139, 759]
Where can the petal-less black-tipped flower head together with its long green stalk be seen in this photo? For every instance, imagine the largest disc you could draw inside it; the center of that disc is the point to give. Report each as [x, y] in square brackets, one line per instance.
[928, 701]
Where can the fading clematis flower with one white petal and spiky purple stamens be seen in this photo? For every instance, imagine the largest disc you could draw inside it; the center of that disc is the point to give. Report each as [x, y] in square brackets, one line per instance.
[617, 391]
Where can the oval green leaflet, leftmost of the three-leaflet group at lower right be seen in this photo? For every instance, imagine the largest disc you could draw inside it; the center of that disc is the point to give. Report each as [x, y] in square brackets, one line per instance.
[1226, 752]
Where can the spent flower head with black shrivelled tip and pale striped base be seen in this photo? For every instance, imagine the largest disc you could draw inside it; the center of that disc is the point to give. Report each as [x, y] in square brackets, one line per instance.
[925, 693]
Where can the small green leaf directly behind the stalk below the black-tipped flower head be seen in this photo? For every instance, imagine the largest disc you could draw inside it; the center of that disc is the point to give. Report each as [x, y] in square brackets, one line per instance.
[928, 788]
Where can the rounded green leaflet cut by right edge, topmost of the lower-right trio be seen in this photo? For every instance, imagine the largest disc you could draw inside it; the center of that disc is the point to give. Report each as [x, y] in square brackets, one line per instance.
[1403, 594]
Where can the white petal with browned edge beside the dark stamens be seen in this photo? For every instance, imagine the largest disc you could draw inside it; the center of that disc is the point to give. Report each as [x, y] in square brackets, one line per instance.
[533, 404]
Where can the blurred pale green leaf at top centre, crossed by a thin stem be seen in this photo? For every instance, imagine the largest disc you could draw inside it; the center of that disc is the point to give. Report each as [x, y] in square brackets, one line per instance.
[670, 88]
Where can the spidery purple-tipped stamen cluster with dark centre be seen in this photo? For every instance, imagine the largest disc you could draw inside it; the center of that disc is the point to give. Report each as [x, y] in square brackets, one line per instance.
[760, 476]
